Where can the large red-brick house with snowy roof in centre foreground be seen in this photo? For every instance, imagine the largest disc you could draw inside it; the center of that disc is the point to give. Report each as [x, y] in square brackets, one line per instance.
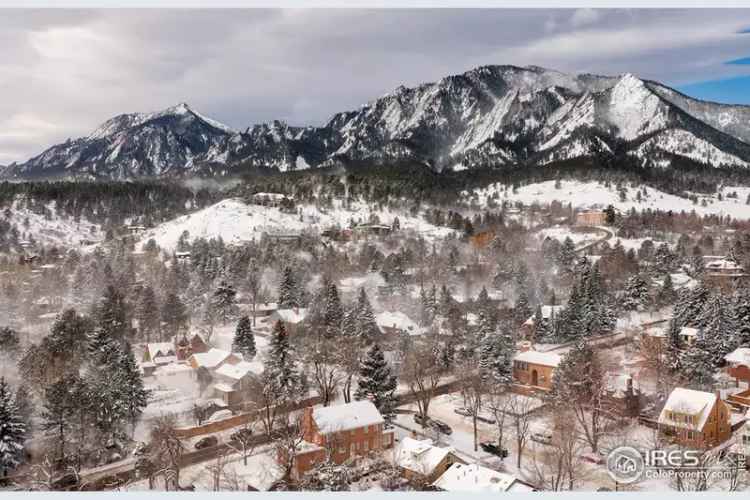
[340, 432]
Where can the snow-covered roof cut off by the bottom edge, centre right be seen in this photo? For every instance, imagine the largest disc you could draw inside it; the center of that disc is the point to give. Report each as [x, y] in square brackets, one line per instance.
[474, 478]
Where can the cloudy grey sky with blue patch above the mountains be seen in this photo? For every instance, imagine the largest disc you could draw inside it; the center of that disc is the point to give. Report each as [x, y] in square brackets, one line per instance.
[63, 72]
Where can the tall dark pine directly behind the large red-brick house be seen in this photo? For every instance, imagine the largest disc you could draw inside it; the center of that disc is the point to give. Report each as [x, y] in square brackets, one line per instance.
[377, 383]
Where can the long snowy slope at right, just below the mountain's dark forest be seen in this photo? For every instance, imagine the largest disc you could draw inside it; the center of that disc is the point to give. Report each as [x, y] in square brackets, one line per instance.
[596, 195]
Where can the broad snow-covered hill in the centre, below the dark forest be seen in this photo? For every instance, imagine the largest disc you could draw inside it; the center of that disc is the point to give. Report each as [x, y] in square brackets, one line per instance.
[236, 221]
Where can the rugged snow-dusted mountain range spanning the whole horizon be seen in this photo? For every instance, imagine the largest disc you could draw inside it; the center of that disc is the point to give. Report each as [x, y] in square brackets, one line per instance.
[491, 116]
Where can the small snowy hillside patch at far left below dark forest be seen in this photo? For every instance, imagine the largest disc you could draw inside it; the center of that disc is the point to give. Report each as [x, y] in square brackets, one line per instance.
[52, 228]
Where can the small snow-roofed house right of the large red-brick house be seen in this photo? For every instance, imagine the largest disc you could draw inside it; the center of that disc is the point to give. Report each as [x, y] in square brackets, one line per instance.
[421, 461]
